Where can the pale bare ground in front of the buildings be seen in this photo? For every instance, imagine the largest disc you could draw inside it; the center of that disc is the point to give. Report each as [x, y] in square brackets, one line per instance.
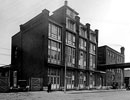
[69, 95]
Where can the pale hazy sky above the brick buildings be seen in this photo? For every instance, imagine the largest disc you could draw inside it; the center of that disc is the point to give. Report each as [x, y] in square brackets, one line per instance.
[110, 17]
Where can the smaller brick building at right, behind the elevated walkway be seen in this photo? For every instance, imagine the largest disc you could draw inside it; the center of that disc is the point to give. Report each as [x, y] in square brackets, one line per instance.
[109, 56]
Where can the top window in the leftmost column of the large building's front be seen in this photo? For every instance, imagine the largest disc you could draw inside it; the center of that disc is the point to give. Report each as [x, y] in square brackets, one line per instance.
[54, 31]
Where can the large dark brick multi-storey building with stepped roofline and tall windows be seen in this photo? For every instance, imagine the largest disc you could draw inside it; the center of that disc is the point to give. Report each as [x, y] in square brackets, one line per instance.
[46, 44]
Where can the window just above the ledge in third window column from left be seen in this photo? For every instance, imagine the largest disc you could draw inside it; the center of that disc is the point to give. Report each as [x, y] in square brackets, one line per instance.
[82, 60]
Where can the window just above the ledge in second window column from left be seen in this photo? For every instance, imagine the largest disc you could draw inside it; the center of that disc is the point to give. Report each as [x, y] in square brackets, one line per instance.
[70, 56]
